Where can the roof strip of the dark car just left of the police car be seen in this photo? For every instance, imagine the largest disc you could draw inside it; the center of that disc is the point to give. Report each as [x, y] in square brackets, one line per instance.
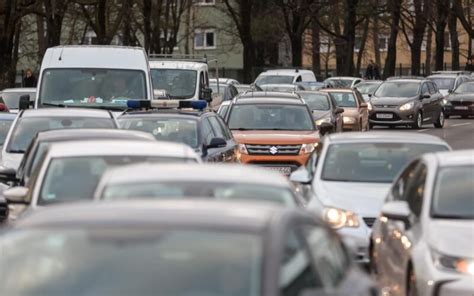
[77, 134]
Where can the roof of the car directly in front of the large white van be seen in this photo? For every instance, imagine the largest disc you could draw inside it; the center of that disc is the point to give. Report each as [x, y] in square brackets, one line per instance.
[61, 112]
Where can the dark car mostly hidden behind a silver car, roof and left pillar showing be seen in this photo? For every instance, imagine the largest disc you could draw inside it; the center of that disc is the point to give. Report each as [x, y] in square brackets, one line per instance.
[42, 140]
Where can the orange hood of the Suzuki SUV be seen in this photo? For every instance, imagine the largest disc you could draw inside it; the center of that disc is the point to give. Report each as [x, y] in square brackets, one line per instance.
[278, 137]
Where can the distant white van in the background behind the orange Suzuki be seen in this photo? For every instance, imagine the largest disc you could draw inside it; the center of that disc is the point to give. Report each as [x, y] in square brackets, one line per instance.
[285, 76]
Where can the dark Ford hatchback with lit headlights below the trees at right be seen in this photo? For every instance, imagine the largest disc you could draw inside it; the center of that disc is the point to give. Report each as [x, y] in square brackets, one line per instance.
[407, 101]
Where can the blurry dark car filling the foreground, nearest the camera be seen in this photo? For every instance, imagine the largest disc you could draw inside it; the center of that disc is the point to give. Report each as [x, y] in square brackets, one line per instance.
[176, 248]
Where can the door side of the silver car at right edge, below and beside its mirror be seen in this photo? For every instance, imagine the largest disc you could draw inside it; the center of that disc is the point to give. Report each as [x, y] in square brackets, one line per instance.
[399, 238]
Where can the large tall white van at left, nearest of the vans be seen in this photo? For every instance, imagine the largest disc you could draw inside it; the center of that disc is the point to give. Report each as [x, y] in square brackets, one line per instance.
[93, 76]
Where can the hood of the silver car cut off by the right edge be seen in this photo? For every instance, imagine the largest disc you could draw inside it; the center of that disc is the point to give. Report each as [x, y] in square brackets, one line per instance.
[443, 232]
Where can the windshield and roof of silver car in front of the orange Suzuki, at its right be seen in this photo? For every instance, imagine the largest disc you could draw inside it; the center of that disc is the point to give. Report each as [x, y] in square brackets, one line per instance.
[371, 162]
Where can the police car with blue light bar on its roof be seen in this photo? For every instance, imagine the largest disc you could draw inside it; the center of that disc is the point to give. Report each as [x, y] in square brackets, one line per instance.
[188, 122]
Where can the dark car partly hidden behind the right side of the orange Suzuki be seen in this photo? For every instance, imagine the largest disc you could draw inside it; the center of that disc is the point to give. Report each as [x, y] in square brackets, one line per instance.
[324, 109]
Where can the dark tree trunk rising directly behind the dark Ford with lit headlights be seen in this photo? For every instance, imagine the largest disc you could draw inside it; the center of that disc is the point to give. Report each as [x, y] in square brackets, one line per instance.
[391, 59]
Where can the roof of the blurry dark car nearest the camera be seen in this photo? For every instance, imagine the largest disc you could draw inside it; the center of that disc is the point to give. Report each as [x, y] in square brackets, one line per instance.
[191, 213]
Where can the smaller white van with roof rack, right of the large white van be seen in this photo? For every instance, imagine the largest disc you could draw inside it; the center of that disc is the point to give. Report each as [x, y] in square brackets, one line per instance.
[181, 77]
